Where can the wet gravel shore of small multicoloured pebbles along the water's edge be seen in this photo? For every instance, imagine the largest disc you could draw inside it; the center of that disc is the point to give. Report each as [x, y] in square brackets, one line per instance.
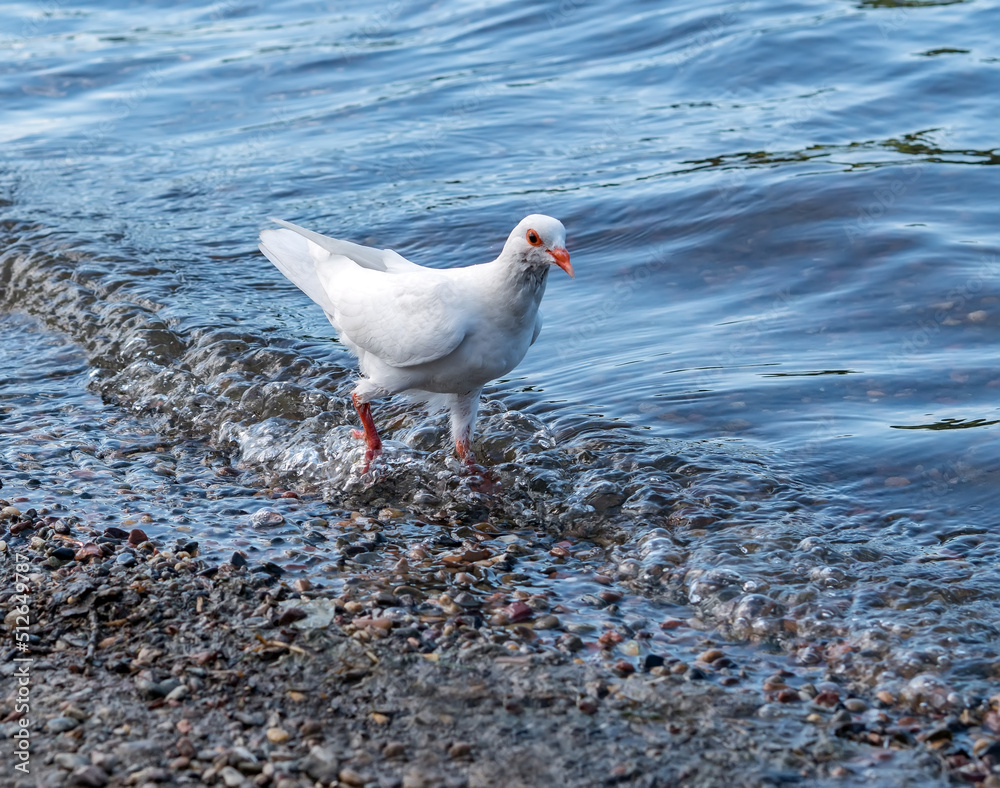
[148, 665]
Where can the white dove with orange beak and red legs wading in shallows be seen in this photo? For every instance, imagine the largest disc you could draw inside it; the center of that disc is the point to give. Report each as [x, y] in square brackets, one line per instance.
[438, 335]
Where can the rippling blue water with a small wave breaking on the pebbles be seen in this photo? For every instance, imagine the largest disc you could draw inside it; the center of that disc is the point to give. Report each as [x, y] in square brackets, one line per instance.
[769, 394]
